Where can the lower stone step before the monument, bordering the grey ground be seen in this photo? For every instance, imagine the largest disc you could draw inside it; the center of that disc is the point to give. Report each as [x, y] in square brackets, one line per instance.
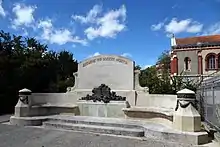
[95, 128]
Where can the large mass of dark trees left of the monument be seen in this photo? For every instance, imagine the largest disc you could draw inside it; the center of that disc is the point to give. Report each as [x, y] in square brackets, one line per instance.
[27, 63]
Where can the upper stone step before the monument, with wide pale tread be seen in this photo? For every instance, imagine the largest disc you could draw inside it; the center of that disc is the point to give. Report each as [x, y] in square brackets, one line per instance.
[96, 121]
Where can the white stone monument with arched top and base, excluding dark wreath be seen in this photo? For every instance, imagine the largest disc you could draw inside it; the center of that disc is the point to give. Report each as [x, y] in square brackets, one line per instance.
[117, 73]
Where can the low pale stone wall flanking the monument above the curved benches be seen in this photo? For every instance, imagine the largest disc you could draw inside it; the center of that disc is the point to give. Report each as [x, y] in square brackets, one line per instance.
[139, 98]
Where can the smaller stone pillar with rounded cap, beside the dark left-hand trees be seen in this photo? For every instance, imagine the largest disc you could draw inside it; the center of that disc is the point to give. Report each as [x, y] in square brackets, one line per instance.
[24, 103]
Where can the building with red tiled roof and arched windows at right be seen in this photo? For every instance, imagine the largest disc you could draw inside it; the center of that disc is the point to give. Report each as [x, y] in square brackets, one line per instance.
[195, 56]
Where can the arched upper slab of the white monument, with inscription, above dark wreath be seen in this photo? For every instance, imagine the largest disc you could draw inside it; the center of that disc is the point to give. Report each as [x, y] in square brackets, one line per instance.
[117, 72]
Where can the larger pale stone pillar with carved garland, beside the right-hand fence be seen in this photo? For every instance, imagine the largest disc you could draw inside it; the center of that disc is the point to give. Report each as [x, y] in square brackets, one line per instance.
[186, 117]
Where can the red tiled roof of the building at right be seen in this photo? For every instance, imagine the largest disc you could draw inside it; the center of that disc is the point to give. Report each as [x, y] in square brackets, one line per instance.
[200, 39]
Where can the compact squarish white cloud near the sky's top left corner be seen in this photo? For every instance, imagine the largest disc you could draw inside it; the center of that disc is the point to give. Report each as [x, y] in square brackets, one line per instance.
[23, 15]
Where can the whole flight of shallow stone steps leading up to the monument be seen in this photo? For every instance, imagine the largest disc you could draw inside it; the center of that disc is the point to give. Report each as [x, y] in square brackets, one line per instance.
[94, 125]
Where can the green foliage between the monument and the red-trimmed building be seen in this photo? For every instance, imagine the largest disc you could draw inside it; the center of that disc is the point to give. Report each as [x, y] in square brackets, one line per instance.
[164, 84]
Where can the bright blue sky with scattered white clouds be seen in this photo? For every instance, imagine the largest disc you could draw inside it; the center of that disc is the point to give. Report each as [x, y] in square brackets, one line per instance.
[139, 29]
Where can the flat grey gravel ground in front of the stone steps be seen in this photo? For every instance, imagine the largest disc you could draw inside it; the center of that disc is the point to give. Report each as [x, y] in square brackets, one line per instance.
[14, 136]
